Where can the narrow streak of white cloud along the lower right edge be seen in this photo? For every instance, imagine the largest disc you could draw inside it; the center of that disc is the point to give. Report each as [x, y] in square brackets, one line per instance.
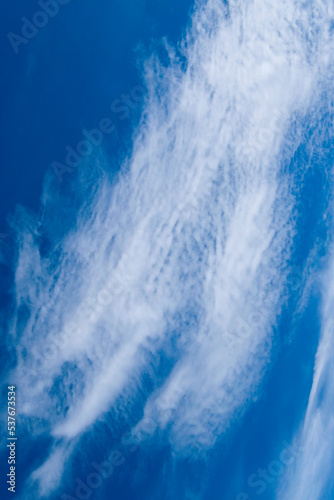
[314, 468]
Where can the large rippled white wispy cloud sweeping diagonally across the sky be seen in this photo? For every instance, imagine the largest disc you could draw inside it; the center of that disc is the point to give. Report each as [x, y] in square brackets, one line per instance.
[188, 246]
